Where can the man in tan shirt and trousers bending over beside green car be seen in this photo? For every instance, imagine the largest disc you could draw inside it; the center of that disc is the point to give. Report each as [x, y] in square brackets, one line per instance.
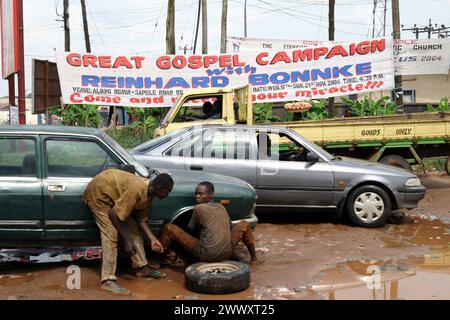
[120, 202]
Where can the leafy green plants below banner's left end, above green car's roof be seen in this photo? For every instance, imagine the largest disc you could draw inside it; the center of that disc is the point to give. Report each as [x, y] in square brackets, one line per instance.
[78, 115]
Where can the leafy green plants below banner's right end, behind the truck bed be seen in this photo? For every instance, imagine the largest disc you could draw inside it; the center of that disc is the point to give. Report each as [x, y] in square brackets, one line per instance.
[369, 107]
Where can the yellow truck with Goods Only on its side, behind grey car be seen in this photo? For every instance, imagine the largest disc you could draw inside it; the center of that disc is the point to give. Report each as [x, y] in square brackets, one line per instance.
[400, 140]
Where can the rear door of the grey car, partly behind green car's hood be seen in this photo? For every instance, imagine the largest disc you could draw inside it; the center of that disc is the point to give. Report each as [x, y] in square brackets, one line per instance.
[226, 151]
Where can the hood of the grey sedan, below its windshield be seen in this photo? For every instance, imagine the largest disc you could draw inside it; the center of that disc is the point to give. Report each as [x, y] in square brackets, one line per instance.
[375, 167]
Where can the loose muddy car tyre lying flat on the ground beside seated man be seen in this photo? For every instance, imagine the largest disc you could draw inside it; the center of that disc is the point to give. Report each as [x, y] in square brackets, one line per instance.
[218, 277]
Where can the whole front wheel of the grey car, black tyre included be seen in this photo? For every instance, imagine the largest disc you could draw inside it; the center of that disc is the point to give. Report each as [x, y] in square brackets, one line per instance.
[369, 206]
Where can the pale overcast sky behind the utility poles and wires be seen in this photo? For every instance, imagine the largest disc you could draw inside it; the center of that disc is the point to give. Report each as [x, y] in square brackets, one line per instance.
[138, 26]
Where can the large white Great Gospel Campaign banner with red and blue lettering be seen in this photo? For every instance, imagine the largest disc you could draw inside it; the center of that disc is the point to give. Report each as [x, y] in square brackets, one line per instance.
[285, 75]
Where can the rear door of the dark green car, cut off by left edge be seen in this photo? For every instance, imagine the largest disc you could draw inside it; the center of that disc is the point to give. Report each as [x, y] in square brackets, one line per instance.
[21, 212]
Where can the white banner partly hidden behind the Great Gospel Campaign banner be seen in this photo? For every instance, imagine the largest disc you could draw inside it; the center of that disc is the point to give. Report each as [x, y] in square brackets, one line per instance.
[412, 57]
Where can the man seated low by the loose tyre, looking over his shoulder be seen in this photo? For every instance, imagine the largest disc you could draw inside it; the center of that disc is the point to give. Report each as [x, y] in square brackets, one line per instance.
[217, 236]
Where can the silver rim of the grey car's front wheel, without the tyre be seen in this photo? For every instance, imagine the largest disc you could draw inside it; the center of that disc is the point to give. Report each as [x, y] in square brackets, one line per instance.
[369, 207]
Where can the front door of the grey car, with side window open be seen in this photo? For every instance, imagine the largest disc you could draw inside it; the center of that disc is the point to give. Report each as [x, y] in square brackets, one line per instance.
[284, 182]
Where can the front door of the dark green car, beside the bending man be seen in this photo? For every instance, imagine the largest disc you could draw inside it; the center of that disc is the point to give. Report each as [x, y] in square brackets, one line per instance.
[70, 164]
